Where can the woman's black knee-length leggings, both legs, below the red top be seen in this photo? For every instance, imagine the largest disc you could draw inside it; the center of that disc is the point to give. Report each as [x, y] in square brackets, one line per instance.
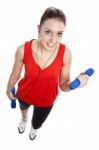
[39, 113]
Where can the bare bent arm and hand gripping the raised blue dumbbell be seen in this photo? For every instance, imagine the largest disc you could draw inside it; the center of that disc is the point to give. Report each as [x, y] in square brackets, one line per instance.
[64, 79]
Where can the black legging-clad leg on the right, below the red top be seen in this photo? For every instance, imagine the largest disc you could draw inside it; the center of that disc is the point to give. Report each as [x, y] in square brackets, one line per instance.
[39, 115]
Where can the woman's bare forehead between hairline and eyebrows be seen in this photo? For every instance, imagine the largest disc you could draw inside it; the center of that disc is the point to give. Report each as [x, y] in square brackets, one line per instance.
[53, 24]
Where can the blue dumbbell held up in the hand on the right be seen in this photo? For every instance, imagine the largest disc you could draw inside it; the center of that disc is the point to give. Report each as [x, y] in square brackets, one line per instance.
[74, 84]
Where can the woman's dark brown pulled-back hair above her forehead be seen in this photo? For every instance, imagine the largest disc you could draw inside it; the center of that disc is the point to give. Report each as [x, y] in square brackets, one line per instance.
[52, 12]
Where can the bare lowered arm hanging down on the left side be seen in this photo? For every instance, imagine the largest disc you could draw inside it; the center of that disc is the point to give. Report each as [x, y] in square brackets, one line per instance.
[16, 71]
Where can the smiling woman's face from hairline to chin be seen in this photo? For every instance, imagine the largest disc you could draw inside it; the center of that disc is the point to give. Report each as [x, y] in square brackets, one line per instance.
[51, 32]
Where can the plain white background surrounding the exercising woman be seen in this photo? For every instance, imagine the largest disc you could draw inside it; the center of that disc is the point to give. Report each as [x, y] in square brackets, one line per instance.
[74, 121]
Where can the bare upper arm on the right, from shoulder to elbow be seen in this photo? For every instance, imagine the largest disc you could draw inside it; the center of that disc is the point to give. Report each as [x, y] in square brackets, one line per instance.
[64, 79]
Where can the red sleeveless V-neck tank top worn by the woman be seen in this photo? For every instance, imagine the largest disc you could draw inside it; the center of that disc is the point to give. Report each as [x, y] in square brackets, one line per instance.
[39, 87]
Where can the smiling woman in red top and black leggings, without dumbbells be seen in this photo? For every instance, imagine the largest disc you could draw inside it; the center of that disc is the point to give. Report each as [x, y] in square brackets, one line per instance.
[47, 64]
